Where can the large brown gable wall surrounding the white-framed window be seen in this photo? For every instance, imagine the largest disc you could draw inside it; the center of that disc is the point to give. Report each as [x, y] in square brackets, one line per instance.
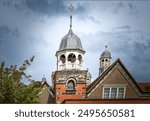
[115, 76]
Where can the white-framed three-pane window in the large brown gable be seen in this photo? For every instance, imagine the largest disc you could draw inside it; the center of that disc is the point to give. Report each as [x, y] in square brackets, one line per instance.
[113, 92]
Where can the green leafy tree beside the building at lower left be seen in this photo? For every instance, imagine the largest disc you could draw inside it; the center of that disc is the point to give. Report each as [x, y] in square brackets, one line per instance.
[12, 90]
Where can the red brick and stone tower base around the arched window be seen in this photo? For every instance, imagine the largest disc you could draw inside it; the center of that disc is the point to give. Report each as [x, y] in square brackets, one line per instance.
[61, 78]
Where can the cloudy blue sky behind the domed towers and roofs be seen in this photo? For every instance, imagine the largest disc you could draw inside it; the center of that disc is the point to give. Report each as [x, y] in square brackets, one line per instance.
[35, 27]
